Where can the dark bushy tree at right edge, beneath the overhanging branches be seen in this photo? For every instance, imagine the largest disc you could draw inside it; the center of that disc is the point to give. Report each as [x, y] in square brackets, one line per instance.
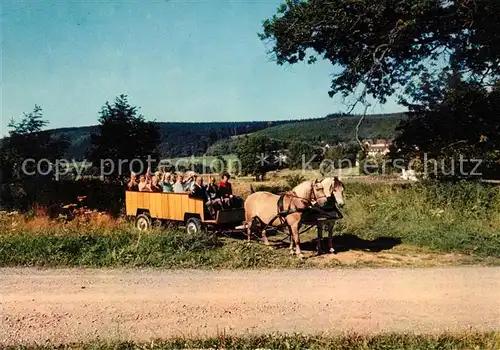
[459, 121]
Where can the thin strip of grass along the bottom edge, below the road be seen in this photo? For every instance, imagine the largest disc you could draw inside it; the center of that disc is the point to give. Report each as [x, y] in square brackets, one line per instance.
[466, 341]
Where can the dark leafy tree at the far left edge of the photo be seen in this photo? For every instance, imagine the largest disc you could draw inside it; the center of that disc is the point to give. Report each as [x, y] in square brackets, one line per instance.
[28, 141]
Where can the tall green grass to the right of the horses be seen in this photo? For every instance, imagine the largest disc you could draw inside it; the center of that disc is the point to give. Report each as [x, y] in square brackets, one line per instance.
[463, 217]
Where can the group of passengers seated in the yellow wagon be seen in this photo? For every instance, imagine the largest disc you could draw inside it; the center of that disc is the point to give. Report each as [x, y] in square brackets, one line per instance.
[216, 196]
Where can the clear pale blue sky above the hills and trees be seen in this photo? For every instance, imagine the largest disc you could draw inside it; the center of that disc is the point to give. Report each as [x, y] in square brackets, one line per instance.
[177, 61]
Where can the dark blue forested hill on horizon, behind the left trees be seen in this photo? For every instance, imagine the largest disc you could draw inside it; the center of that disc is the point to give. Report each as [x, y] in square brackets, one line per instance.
[178, 139]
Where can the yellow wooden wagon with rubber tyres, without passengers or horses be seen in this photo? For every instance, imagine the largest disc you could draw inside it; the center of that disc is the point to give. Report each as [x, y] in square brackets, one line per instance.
[179, 208]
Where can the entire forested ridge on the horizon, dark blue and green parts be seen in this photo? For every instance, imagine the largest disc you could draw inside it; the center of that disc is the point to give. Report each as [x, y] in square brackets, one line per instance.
[186, 139]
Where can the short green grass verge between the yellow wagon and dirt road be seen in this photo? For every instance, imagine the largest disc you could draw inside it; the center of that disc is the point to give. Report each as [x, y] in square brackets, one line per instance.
[130, 248]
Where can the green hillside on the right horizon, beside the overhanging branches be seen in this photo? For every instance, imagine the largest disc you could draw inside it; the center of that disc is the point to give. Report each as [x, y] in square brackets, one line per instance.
[334, 128]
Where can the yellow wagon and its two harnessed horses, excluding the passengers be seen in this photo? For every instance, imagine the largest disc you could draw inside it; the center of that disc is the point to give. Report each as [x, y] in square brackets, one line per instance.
[262, 210]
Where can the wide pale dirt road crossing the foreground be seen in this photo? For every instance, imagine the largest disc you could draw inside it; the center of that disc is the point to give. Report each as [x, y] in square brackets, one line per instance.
[75, 305]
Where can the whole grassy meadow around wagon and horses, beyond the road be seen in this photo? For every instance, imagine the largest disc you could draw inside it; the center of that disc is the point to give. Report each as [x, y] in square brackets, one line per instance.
[400, 218]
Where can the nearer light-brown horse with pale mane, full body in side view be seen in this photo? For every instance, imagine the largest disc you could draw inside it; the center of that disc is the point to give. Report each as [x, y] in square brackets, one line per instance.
[263, 209]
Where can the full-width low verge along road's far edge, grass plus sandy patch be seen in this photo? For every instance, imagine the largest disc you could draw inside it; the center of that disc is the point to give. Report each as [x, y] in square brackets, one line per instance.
[177, 249]
